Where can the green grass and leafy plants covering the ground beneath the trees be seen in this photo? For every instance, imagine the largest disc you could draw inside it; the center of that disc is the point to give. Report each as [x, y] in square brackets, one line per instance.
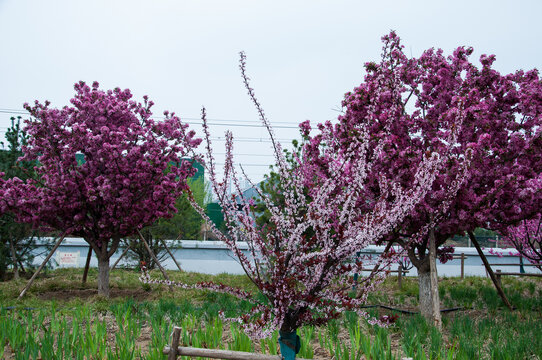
[63, 319]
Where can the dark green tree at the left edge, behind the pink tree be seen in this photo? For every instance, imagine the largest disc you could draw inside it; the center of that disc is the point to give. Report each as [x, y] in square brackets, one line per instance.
[16, 240]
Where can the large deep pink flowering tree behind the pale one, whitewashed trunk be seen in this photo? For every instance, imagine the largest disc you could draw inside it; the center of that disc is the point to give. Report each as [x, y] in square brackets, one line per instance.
[411, 106]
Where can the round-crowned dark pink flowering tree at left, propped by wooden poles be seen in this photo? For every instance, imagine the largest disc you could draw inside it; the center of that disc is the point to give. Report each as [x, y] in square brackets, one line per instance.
[104, 169]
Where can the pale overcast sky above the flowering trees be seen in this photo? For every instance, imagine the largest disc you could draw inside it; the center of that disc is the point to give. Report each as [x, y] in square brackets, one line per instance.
[302, 55]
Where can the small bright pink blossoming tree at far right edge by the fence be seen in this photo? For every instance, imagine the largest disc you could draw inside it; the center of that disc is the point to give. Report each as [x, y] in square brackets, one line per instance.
[526, 238]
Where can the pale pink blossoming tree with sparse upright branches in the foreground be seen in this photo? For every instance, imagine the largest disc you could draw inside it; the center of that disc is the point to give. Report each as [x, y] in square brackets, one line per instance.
[303, 261]
